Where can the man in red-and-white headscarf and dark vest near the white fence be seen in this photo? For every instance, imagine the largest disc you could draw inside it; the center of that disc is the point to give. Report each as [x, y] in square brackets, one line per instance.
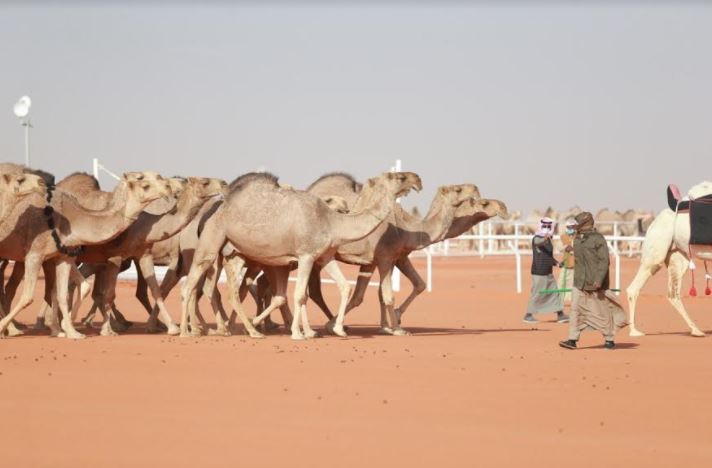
[543, 263]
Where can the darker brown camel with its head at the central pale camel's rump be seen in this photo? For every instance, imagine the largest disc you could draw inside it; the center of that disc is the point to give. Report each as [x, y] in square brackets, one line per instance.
[135, 243]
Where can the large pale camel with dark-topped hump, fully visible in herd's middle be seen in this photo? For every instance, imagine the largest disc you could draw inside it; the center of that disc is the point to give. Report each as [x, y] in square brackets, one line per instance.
[252, 219]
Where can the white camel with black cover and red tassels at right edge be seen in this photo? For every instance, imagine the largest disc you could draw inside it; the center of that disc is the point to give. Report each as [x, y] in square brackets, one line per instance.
[667, 243]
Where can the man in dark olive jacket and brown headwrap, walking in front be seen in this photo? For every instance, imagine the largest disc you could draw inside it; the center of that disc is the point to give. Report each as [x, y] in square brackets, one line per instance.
[593, 307]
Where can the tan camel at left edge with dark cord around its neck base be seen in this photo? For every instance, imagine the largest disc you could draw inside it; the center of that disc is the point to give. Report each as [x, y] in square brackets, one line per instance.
[49, 235]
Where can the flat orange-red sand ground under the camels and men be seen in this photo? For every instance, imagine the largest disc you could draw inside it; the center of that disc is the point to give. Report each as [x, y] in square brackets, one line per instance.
[473, 386]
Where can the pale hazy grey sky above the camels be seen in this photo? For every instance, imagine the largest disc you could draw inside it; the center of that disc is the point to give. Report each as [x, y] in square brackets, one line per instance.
[598, 104]
